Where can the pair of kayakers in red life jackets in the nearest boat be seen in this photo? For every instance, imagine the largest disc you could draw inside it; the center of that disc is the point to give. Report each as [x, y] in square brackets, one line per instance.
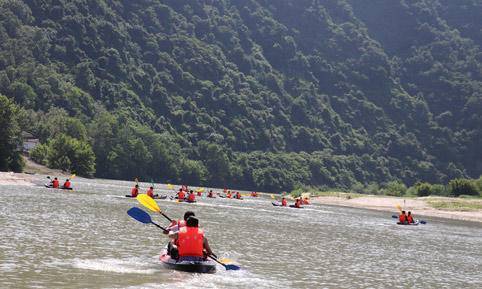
[187, 240]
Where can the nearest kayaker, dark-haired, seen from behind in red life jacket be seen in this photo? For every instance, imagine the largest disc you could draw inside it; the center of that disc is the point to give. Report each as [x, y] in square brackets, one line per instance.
[189, 243]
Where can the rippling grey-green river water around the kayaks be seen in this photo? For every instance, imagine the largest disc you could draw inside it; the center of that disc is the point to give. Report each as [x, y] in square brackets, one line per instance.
[84, 239]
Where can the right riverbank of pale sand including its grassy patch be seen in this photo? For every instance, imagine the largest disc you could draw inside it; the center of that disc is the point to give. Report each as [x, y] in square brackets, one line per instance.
[440, 207]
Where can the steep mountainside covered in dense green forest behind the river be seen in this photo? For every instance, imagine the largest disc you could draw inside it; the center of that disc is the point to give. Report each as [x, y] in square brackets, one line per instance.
[255, 94]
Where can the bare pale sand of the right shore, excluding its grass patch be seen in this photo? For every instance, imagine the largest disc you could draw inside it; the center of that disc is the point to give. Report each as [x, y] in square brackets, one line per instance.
[418, 206]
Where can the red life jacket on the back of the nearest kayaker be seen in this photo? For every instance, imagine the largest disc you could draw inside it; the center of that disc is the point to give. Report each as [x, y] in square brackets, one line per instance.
[190, 242]
